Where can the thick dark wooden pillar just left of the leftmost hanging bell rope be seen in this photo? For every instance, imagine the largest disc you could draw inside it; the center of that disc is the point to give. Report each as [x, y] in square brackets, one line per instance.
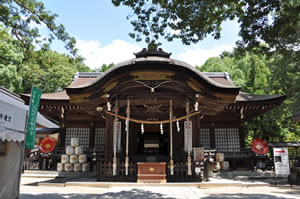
[108, 138]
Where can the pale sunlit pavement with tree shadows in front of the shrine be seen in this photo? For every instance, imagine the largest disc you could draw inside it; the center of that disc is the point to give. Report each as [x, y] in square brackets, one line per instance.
[30, 190]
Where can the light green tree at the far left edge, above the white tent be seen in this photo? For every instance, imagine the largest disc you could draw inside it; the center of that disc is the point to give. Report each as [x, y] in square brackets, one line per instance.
[11, 58]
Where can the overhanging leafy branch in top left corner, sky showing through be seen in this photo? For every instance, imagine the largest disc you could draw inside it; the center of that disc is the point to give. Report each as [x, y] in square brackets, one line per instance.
[20, 15]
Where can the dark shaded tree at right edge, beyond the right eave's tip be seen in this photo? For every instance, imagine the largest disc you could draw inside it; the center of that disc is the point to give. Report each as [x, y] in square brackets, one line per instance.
[285, 80]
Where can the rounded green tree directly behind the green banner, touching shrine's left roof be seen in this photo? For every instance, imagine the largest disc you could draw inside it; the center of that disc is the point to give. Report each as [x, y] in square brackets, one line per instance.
[50, 71]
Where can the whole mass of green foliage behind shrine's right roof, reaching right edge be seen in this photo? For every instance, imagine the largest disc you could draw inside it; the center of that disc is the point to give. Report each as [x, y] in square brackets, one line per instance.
[275, 74]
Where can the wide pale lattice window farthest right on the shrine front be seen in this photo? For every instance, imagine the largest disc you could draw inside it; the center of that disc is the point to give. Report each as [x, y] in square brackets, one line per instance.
[227, 139]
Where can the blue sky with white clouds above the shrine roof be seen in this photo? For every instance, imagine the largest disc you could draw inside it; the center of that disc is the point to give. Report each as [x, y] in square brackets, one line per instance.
[101, 31]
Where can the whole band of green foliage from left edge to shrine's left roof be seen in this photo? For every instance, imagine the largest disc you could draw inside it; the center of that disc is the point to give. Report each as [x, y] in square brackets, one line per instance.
[48, 70]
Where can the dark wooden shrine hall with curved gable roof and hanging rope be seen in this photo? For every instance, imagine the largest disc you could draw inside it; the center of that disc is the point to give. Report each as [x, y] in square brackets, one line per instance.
[147, 115]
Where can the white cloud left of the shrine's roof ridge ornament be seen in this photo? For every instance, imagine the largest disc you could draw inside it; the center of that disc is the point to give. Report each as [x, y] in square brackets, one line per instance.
[95, 55]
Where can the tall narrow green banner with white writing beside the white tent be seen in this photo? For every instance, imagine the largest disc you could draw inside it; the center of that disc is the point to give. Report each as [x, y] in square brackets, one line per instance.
[32, 115]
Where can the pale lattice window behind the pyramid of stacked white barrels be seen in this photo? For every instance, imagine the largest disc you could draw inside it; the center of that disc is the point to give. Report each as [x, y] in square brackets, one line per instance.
[82, 133]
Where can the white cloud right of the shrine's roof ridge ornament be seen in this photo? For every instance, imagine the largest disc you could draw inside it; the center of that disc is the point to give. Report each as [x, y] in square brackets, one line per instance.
[198, 56]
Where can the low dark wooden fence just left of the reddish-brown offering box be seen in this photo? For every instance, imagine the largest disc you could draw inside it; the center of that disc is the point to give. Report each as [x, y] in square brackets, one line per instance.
[105, 172]
